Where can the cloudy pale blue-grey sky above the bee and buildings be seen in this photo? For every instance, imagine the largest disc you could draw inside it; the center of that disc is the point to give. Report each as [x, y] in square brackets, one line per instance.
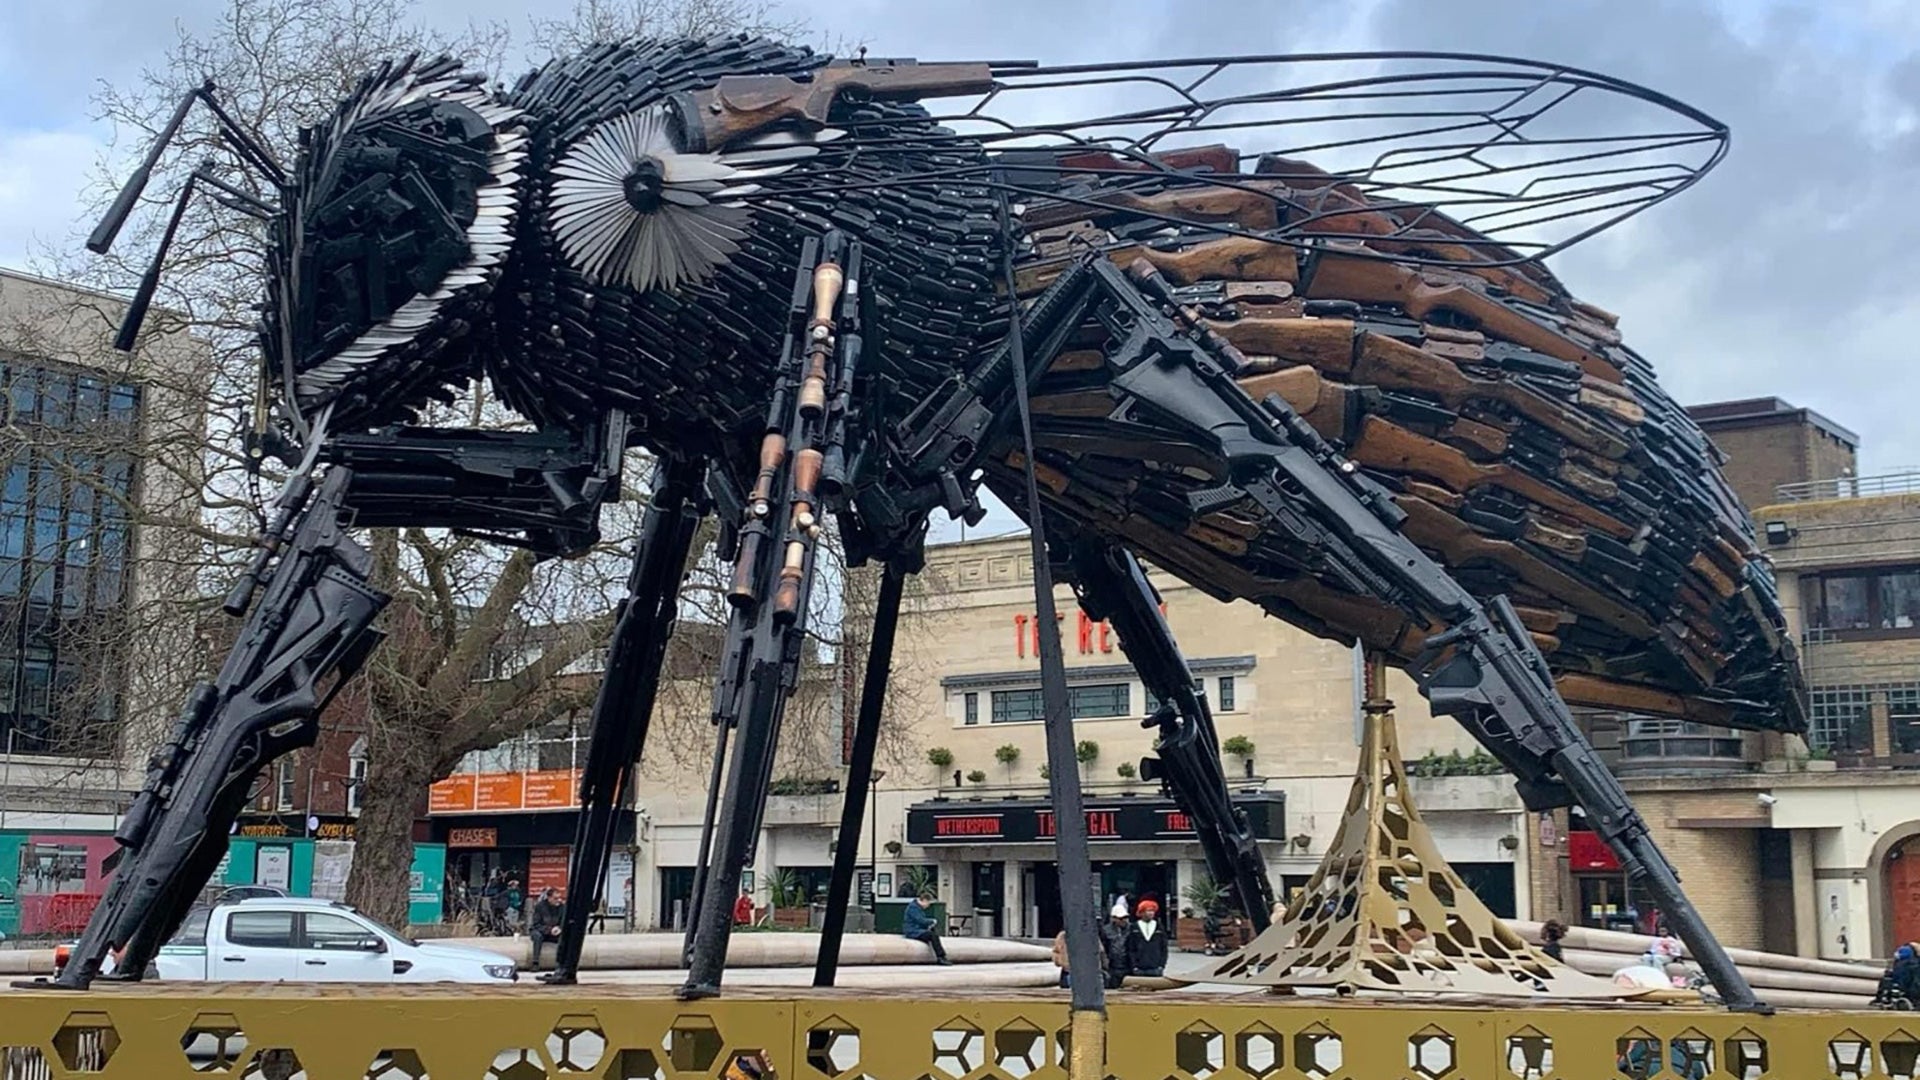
[1788, 272]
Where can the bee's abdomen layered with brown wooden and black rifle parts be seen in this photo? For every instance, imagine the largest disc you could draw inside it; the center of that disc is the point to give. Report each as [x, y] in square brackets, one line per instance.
[1533, 453]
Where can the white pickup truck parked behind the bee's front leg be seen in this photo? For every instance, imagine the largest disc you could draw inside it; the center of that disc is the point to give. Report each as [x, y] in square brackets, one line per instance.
[314, 941]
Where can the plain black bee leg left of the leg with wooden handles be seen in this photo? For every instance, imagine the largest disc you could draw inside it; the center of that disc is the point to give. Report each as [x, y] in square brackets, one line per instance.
[623, 708]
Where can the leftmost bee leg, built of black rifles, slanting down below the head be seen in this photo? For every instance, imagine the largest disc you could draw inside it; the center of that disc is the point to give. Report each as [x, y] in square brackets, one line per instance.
[314, 622]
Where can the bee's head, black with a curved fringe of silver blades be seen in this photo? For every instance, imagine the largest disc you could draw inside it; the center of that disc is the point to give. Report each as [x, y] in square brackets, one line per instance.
[400, 226]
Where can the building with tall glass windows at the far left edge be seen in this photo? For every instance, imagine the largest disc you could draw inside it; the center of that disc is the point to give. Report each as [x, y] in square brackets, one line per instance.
[93, 556]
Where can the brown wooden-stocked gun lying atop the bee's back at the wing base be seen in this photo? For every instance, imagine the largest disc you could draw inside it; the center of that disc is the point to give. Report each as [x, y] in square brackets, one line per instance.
[744, 105]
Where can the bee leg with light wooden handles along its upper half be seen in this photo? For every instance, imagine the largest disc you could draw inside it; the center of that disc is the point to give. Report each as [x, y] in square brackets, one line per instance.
[773, 579]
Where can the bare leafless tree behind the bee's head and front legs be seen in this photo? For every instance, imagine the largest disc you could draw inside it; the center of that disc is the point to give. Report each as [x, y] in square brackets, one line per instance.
[473, 654]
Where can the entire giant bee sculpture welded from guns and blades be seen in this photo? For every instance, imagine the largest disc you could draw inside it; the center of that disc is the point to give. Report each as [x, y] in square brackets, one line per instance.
[1326, 374]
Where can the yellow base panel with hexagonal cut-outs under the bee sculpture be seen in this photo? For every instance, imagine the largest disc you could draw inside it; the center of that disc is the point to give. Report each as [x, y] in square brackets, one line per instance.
[529, 1033]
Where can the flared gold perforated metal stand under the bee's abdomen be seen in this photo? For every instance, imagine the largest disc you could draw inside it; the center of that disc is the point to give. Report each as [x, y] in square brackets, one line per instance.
[1385, 910]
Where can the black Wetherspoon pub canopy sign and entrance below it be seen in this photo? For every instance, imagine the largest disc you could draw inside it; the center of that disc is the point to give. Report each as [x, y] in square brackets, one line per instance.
[999, 856]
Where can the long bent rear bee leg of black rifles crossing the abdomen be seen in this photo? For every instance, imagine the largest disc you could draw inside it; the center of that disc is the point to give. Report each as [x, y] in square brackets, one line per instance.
[1176, 401]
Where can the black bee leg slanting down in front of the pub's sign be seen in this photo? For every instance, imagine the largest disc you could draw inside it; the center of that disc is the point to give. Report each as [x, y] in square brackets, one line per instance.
[1113, 587]
